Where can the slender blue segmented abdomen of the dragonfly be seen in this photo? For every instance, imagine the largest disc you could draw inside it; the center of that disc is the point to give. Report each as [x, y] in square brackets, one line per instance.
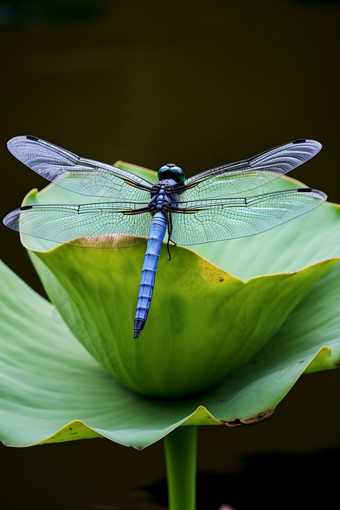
[147, 283]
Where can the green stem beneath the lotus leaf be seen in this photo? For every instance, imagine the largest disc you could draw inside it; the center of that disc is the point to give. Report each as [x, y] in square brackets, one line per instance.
[180, 456]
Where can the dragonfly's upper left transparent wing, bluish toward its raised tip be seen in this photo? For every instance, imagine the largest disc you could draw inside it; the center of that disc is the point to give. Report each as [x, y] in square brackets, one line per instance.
[71, 172]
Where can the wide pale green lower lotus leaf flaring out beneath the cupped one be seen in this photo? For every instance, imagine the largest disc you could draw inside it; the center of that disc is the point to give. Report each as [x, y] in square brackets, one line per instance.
[52, 390]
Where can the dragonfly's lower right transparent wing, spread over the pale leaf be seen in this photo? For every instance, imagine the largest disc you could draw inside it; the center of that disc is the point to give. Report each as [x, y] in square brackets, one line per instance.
[206, 221]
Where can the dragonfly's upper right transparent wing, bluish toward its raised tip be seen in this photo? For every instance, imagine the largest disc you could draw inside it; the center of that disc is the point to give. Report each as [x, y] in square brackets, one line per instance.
[250, 173]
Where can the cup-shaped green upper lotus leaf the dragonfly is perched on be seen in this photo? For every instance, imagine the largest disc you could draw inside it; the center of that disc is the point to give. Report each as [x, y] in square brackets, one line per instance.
[198, 312]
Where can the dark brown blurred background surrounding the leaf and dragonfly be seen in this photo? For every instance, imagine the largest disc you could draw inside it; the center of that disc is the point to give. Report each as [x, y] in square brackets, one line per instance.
[200, 84]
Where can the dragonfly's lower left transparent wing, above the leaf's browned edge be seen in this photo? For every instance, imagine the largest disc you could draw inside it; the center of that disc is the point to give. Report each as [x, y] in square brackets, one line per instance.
[70, 224]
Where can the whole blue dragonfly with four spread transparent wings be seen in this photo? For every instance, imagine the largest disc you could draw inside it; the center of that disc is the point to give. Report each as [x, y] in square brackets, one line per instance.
[194, 210]
